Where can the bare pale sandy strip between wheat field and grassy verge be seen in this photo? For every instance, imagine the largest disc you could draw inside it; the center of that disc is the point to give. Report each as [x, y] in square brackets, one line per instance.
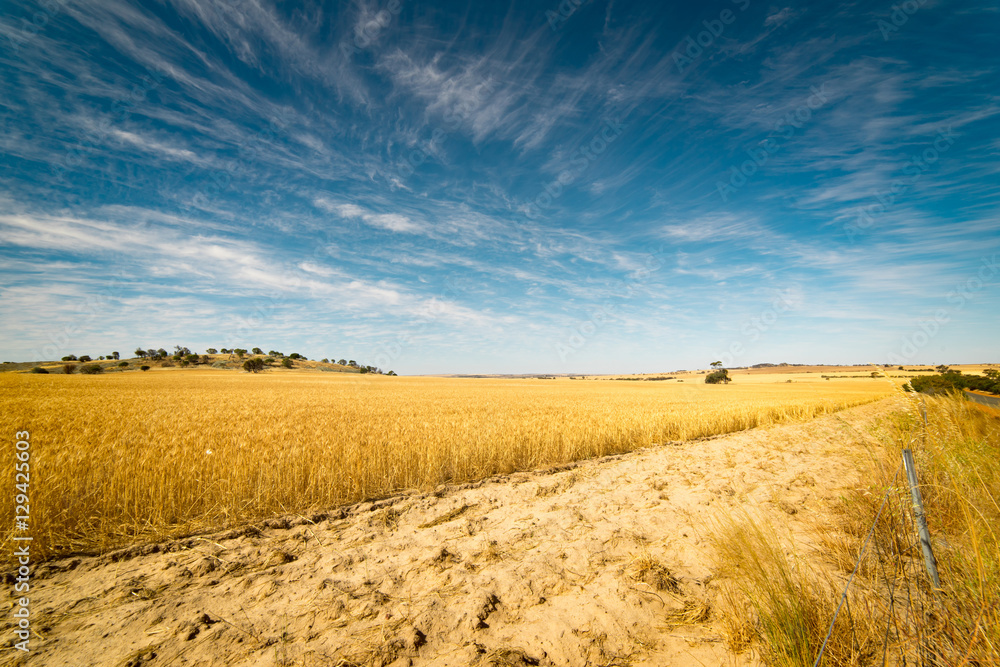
[604, 562]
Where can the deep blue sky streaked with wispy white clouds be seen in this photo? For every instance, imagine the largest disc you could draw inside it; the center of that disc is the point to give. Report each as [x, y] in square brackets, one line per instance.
[482, 187]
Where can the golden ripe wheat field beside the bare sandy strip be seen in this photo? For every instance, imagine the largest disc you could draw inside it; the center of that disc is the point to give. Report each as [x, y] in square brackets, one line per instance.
[133, 457]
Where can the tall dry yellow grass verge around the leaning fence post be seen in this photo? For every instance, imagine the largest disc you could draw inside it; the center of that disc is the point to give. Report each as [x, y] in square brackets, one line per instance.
[782, 605]
